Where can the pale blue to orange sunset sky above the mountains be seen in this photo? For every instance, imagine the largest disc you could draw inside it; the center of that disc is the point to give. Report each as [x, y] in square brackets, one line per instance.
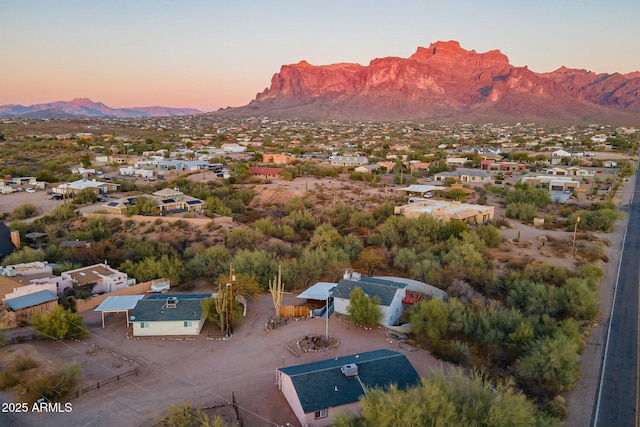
[210, 54]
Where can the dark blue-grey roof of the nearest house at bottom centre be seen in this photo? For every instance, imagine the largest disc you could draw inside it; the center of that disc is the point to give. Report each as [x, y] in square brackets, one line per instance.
[322, 385]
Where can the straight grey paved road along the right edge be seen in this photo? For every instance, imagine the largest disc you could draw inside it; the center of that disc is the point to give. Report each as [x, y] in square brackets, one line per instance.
[616, 401]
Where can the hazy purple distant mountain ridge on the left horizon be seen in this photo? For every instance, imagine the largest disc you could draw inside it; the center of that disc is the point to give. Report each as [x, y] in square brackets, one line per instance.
[84, 107]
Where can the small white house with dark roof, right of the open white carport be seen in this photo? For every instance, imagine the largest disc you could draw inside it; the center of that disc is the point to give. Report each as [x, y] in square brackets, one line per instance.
[163, 315]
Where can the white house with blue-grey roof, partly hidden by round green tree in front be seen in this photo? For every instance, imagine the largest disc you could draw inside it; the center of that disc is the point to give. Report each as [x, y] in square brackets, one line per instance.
[390, 292]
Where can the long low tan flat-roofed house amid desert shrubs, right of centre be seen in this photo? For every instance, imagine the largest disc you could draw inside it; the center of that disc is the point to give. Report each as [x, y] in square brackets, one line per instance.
[446, 211]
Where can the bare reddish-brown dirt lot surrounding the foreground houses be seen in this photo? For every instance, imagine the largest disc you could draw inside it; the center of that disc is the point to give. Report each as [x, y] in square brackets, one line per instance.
[201, 371]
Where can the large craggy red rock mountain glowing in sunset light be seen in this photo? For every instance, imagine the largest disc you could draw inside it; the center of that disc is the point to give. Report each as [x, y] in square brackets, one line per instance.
[445, 81]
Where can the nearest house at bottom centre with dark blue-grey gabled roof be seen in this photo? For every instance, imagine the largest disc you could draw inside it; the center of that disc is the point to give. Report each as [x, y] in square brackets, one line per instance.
[317, 392]
